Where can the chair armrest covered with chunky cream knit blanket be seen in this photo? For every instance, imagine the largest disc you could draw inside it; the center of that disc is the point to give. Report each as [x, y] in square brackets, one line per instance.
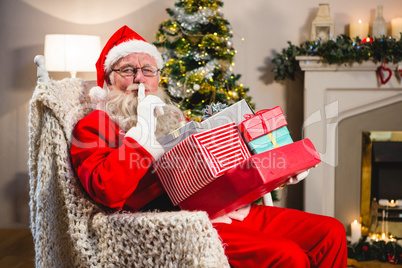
[152, 239]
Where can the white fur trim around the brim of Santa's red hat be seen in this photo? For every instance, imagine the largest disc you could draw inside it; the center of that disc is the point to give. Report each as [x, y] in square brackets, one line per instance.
[130, 47]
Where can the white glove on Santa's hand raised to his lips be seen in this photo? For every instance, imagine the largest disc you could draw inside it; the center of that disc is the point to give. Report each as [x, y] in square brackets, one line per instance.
[144, 131]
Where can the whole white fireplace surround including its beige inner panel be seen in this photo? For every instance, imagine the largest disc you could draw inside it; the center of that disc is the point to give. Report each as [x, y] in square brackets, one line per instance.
[336, 98]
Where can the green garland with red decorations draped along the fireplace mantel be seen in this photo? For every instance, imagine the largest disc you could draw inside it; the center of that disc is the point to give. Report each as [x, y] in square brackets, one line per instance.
[340, 50]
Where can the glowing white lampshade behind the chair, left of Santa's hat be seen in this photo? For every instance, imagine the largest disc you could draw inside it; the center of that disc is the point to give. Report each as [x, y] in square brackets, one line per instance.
[71, 53]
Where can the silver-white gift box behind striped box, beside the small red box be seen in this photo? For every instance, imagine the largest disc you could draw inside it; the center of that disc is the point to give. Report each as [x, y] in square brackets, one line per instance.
[234, 113]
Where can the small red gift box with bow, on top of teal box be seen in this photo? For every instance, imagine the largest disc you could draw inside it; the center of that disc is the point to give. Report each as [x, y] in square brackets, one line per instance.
[261, 123]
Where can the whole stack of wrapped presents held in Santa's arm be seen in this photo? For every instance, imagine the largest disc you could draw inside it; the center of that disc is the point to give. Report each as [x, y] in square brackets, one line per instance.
[231, 158]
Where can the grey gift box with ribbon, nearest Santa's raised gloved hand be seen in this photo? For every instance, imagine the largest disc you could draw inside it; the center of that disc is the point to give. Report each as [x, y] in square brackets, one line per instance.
[180, 134]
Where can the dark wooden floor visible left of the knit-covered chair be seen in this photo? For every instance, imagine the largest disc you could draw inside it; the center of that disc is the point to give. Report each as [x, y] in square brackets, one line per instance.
[16, 248]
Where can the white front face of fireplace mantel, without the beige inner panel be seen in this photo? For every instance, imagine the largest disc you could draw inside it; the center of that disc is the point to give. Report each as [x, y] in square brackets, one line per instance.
[332, 93]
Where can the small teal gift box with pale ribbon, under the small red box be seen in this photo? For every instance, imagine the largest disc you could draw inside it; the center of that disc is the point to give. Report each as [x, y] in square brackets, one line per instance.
[272, 140]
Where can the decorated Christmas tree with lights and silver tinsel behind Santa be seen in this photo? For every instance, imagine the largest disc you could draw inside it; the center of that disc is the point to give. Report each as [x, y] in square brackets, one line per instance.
[197, 50]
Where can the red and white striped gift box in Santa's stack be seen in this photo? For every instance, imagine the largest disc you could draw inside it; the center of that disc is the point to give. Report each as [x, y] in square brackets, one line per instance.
[198, 160]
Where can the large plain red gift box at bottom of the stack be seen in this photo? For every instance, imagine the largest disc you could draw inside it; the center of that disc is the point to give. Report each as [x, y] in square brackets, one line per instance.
[253, 178]
